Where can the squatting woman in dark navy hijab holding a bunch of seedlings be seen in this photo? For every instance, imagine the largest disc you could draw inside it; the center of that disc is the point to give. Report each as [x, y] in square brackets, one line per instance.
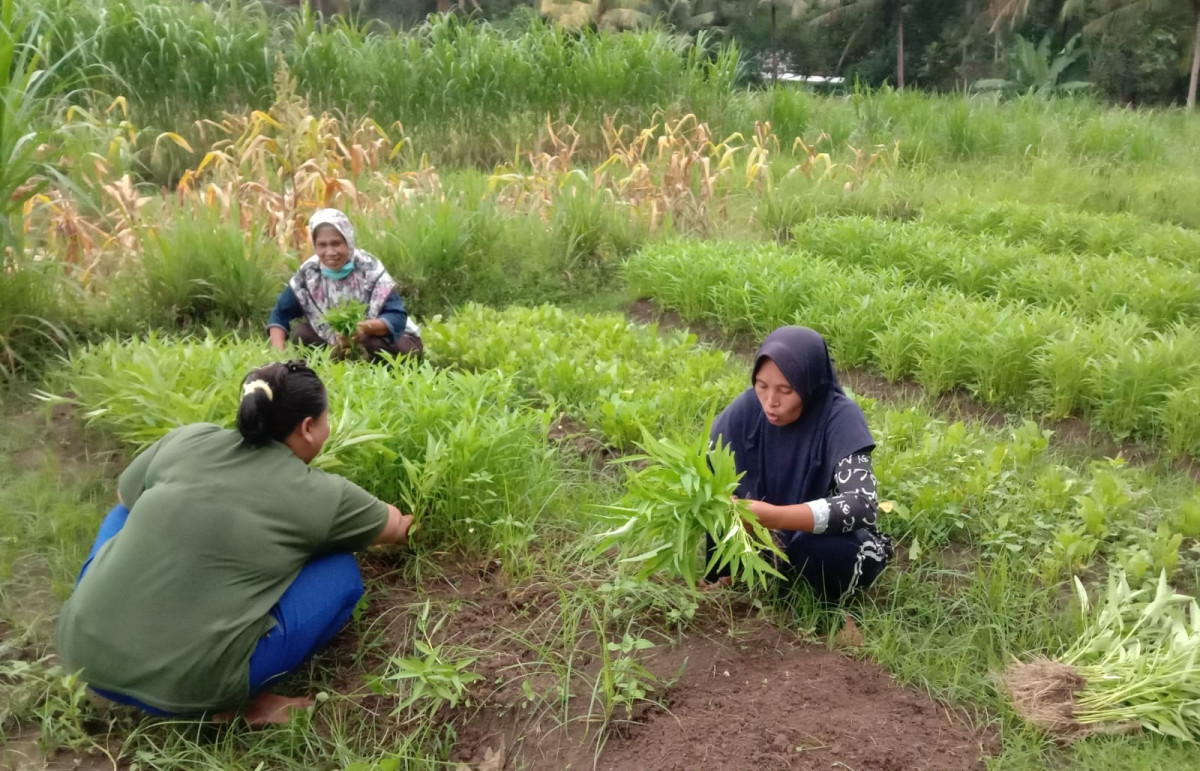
[806, 453]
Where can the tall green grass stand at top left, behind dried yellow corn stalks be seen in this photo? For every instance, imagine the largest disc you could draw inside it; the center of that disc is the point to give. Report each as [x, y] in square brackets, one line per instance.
[448, 80]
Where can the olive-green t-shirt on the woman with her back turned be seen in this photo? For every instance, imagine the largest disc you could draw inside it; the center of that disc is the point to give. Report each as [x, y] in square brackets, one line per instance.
[172, 608]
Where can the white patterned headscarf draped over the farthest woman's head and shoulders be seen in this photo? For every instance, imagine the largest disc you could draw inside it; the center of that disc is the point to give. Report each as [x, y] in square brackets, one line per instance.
[368, 283]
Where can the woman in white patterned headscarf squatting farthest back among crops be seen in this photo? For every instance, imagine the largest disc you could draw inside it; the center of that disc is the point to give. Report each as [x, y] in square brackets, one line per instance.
[337, 273]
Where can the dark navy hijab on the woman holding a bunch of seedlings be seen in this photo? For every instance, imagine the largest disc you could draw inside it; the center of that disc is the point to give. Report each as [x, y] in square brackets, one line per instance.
[795, 463]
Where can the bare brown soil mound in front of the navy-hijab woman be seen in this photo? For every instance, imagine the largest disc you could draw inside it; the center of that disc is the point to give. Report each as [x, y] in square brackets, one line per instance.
[759, 702]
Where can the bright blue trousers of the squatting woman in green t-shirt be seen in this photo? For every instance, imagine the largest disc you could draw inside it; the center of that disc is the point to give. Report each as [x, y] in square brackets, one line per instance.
[310, 613]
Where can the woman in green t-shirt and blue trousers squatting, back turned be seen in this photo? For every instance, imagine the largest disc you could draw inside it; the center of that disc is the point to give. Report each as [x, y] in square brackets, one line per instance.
[227, 563]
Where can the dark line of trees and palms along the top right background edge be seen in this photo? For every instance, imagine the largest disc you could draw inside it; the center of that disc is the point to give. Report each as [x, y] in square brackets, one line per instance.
[1136, 52]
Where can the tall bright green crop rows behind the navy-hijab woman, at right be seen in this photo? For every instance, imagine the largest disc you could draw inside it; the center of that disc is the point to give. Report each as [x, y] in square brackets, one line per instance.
[901, 304]
